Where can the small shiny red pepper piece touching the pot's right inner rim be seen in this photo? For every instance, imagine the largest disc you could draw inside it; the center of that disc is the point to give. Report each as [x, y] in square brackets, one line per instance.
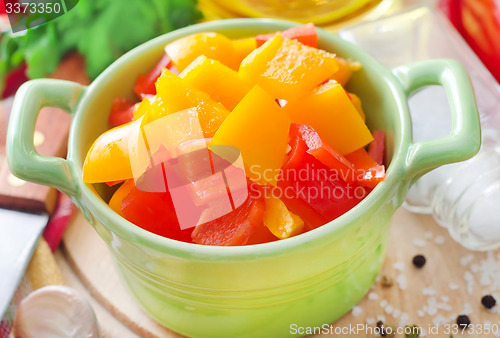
[368, 172]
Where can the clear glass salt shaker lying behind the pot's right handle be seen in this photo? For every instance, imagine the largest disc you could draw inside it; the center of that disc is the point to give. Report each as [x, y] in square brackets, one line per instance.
[465, 196]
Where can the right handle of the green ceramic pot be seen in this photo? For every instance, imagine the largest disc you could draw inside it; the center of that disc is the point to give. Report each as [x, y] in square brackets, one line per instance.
[465, 138]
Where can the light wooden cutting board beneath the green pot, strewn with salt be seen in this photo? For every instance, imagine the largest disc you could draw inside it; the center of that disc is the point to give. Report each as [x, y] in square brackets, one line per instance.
[87, 266]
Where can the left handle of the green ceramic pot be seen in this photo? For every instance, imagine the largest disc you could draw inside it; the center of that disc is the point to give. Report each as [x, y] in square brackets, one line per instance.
[24, 161]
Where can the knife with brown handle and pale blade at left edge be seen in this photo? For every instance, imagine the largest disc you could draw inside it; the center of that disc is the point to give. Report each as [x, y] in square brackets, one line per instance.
[25, 207]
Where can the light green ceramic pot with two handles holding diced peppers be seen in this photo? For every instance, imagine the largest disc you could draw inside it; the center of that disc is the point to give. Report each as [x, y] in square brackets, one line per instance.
[264, 290]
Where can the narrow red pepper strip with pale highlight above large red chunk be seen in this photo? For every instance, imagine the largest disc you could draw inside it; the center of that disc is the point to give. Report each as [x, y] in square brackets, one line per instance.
[323, 152]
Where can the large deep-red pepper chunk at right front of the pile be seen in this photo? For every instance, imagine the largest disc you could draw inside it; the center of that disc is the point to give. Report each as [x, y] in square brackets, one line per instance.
[312, 190]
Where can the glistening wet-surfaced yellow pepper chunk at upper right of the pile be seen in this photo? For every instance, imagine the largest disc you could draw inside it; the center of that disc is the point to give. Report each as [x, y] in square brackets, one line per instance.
[286, 68]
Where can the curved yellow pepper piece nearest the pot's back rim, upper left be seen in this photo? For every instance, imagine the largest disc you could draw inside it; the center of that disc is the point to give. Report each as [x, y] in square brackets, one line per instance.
[215, 46]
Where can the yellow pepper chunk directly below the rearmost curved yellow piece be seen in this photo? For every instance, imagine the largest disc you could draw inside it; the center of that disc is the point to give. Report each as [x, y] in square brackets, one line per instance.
[217, 80]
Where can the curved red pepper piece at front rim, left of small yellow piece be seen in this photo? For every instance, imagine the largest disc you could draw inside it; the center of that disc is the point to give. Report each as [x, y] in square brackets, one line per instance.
[234, 228]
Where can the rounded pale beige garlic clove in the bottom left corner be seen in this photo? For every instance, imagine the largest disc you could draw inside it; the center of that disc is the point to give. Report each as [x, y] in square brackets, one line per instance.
[55, 311]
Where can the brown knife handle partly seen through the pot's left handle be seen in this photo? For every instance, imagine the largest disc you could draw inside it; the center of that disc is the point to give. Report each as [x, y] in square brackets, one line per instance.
[50, 139]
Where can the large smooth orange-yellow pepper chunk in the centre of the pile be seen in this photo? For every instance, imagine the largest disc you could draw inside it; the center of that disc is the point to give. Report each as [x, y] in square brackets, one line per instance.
[258, 127]
